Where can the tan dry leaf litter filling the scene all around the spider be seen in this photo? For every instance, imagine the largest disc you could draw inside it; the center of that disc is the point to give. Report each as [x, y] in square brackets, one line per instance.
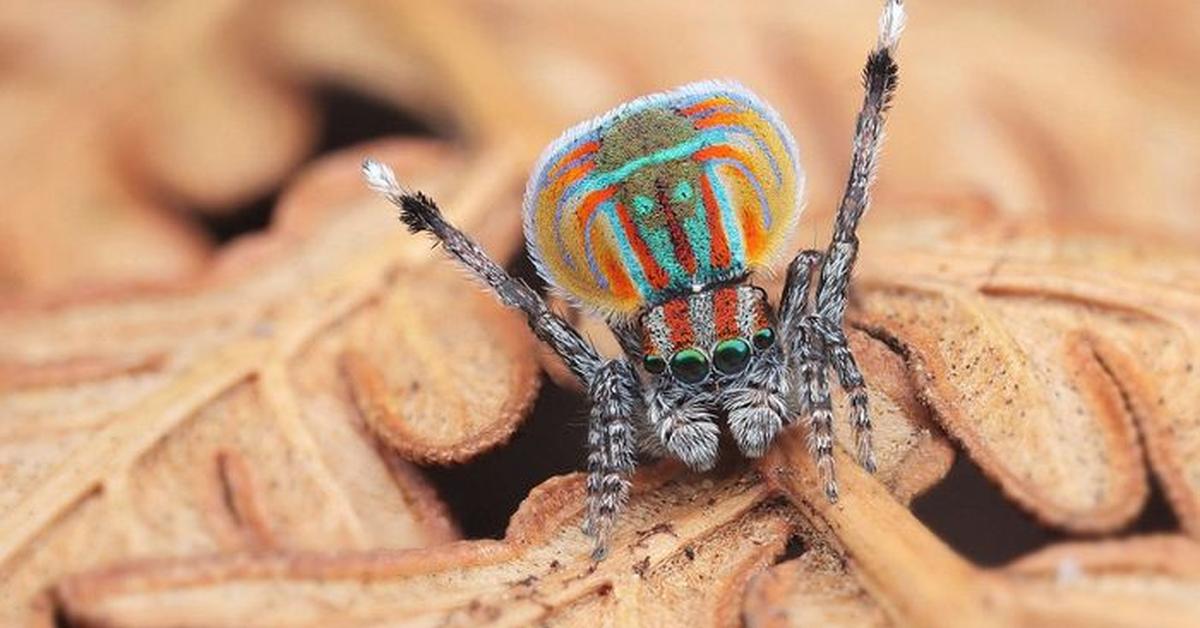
[238, 445]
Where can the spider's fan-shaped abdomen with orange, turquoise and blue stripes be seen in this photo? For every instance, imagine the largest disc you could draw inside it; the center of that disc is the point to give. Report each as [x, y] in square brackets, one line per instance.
[663, 196]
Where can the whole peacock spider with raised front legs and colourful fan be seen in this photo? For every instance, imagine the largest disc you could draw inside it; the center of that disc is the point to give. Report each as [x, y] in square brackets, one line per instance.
[655, 217]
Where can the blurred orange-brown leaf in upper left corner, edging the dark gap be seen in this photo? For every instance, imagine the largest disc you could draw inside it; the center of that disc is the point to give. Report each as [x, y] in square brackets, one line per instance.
[115, 115]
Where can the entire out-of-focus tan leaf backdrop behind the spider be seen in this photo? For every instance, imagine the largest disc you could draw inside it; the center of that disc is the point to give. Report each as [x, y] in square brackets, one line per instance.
[136, 139]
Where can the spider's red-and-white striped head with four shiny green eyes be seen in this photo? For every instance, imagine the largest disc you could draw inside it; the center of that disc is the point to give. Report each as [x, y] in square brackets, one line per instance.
[707, 337]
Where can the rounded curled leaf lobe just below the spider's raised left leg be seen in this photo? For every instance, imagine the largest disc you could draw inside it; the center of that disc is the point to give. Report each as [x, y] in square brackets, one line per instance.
[458, 369]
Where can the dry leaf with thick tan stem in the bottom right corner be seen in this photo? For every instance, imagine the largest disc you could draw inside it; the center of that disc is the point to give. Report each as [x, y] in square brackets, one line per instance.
[874, 557]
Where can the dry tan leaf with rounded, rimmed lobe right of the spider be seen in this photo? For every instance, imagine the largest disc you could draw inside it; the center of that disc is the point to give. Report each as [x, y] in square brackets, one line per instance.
[1046, 350]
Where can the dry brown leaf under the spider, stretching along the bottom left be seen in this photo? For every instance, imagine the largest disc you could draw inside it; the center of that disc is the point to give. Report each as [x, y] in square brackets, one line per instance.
[682, 554]
